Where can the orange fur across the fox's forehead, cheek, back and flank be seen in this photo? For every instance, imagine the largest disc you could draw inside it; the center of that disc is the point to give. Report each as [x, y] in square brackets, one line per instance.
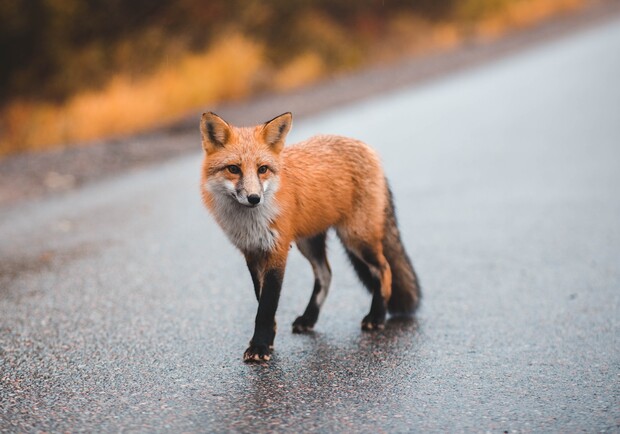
[326, 181]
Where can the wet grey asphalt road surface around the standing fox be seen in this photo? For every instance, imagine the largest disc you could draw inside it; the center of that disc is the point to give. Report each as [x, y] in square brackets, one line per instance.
[124, 308]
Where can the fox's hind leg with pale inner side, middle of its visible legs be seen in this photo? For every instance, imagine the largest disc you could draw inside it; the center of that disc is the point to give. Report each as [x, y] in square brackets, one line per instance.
[313, 249]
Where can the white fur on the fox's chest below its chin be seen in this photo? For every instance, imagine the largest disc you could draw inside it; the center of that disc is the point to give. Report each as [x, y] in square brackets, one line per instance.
[247, 228]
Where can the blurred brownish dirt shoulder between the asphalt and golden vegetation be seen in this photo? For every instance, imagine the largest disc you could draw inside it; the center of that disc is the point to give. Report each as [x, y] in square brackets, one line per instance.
[31, 176]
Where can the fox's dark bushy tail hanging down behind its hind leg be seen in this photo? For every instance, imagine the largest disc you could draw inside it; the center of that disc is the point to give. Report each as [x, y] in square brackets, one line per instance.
[405, 287]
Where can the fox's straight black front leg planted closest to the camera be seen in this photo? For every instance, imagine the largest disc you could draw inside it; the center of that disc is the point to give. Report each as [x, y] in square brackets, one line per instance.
[265, 325]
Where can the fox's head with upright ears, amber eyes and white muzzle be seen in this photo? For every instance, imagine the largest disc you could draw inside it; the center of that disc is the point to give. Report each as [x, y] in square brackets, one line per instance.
[243, 164]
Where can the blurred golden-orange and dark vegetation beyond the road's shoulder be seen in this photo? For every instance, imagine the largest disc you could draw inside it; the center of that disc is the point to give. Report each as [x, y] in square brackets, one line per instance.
[74, 71]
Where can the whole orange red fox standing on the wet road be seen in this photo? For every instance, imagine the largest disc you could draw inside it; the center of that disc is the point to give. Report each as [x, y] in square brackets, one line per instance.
[266, 196]
